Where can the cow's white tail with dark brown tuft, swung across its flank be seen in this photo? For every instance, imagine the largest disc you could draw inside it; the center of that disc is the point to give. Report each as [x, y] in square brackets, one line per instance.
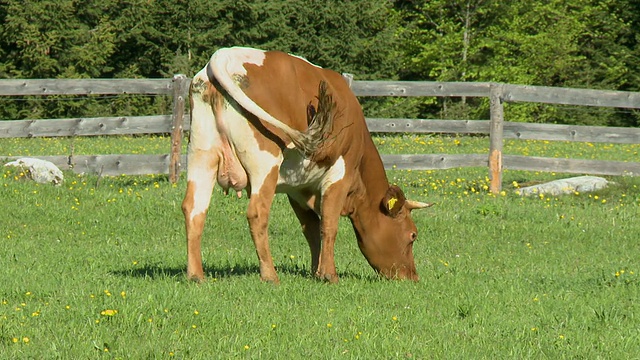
[307, 142]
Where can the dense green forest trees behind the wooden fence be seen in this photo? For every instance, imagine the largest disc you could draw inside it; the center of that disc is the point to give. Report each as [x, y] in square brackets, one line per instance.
[567, 43]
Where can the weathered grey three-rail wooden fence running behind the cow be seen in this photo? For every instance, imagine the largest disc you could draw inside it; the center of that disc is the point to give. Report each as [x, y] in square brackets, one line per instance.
[496, 127]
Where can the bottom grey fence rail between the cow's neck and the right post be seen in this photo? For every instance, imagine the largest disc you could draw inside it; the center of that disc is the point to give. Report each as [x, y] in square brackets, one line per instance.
[433, 161]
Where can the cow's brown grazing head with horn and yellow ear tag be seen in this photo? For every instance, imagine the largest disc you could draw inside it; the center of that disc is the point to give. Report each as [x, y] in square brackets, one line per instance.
[386, 240]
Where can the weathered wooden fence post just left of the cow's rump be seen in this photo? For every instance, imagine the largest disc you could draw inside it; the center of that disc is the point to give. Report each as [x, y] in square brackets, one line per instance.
[179, 83]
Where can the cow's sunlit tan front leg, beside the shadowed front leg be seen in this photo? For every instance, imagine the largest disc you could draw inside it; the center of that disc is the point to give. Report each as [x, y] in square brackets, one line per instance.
[332, 202]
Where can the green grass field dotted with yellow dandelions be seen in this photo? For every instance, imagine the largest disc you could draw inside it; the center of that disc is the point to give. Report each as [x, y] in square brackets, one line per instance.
[95, 268]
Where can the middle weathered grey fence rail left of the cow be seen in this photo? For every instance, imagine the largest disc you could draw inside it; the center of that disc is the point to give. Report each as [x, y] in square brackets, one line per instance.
[86, 126]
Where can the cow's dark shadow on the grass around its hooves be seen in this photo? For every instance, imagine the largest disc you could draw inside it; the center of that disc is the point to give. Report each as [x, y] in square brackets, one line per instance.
[157, 271]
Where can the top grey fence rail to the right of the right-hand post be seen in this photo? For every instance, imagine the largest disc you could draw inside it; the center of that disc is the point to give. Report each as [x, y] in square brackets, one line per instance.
[568, 96]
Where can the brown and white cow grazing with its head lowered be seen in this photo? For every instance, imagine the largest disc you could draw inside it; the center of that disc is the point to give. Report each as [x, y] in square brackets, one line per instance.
[251, 112]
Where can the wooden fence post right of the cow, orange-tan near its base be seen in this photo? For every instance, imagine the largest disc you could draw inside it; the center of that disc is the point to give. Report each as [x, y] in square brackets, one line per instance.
[495, 137]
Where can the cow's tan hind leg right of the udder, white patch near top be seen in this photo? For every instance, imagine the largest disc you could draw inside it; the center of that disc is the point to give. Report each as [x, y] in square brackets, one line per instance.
[258, 217]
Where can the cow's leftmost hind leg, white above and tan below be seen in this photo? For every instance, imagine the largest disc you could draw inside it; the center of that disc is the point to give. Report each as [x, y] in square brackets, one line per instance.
[200, 182]
